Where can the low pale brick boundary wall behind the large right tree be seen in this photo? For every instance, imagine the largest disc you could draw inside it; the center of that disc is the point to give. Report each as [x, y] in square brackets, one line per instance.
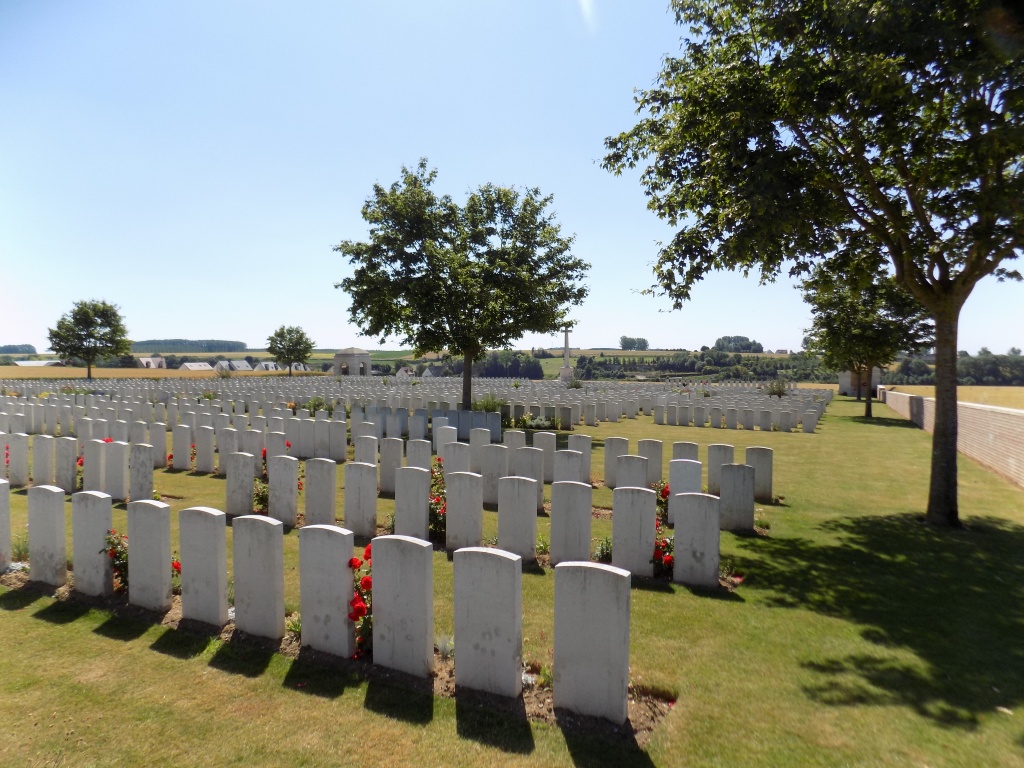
[994, 437]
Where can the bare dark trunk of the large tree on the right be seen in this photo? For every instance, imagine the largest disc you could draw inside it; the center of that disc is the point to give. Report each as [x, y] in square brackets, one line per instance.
[943, 504]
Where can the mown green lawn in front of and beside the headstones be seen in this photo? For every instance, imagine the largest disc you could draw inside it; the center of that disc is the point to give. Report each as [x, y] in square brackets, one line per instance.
[859, 637]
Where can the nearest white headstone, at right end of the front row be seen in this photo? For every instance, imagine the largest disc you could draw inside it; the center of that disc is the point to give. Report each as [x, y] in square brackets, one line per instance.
[592, 641]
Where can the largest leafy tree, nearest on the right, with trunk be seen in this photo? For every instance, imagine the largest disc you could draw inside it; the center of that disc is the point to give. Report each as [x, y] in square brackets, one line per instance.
[787, 130]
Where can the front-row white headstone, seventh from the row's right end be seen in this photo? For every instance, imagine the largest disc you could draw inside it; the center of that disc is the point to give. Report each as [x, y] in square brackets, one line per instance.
[150, 554]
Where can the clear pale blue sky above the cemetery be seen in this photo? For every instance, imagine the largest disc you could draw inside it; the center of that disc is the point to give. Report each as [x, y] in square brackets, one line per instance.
[195, 162]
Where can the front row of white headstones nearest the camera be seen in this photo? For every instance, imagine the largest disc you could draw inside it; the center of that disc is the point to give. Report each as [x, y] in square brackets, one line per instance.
[592, 602]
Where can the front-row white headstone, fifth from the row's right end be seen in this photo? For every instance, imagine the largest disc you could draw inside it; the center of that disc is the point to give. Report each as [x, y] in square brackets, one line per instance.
[260, 576]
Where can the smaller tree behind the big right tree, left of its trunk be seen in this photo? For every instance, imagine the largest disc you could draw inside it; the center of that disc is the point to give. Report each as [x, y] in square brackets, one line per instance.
[863, 322]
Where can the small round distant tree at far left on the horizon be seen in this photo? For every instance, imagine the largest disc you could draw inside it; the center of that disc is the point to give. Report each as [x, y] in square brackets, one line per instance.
[93, 330]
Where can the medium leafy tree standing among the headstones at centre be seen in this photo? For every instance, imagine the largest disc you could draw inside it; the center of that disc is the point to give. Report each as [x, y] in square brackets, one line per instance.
[462, 279]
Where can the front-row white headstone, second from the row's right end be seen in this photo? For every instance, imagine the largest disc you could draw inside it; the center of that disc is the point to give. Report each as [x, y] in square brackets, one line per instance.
[489, 621]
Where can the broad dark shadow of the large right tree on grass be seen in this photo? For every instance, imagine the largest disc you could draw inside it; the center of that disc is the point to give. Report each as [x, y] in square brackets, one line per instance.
[956, 600]
